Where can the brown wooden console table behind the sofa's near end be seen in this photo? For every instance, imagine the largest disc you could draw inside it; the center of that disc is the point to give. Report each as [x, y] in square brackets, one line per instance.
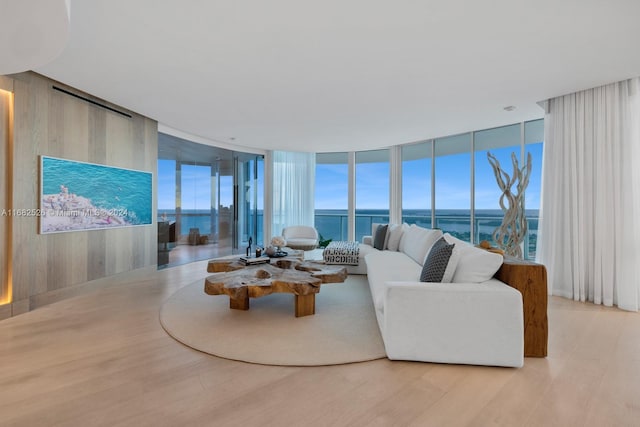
[530, 279]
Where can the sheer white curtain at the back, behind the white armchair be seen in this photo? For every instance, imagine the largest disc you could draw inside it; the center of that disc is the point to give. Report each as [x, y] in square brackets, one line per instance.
[293, 189]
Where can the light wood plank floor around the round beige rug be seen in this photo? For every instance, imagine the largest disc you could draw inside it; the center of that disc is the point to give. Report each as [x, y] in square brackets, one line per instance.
[102, 358]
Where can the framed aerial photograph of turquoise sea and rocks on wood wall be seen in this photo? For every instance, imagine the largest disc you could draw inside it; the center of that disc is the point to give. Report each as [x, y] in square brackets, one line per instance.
[78, 196]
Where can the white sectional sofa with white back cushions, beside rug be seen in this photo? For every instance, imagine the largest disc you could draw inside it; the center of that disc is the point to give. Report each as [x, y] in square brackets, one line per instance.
[476, 319]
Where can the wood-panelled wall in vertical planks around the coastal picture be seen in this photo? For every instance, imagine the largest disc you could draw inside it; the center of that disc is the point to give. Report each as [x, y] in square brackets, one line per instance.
[49, 122]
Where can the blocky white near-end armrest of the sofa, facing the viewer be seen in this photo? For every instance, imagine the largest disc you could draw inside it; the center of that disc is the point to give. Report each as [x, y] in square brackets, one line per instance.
[471, 323]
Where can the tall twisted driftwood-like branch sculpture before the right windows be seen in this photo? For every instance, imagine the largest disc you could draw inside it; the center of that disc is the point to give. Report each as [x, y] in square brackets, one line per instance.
[511, 233]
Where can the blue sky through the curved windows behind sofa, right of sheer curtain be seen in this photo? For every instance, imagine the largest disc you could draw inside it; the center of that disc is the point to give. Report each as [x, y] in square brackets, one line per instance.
[452, 179]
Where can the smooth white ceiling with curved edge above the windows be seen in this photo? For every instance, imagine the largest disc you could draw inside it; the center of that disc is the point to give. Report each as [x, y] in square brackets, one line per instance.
[343, 75]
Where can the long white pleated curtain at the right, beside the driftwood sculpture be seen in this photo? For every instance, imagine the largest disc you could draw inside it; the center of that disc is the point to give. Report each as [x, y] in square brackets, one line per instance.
[590, 212]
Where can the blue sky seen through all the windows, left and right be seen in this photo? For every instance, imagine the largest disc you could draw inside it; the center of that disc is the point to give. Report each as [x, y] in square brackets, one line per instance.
[372, 183]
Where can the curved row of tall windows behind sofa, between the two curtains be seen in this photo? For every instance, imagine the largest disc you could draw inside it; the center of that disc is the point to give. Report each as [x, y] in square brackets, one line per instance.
[436, 191]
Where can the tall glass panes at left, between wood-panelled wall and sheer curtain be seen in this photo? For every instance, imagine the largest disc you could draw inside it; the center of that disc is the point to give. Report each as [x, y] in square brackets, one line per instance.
[210, 200]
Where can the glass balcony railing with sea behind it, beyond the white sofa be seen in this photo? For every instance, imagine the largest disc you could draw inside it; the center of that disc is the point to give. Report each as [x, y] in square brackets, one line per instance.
[334, 226]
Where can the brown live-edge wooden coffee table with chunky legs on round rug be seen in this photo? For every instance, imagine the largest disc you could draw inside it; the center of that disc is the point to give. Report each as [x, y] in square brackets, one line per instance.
[281, 275]
